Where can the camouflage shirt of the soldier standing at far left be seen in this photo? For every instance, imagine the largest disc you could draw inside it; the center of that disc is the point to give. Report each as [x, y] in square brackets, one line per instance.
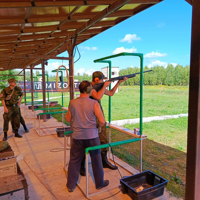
[15, 96]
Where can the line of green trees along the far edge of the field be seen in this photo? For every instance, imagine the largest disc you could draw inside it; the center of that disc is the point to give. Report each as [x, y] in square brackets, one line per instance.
[169, 76]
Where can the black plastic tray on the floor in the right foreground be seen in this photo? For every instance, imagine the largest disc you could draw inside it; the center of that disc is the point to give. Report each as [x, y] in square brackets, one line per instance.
[152, 183]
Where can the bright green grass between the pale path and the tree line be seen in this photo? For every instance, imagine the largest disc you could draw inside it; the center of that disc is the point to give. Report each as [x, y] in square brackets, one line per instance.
[157, 101]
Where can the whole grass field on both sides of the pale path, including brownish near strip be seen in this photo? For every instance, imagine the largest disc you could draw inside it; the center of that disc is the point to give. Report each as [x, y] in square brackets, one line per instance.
[164, 150]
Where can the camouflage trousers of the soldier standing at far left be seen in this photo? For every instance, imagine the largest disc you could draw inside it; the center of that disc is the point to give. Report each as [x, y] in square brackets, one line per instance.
[13, 115]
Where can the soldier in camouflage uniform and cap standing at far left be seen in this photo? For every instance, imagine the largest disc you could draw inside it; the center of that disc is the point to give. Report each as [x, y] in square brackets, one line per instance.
[10, 99]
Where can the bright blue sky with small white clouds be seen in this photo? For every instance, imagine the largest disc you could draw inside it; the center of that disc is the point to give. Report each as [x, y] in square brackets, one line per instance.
[162, 33]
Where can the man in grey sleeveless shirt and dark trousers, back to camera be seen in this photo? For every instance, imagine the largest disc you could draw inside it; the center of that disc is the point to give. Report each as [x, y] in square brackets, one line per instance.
[82, 113]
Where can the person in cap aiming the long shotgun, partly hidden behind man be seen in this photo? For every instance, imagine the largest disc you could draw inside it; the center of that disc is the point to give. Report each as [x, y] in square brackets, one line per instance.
[97, 77]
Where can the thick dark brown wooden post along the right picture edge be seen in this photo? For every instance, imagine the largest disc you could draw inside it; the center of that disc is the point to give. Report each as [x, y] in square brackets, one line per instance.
[193, 144]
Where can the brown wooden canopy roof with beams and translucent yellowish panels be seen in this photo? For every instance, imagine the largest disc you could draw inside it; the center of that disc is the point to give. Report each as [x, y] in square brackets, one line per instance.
[31, 30]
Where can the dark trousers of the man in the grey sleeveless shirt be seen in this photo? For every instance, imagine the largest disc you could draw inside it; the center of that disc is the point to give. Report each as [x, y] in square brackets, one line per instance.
[77, 153]
